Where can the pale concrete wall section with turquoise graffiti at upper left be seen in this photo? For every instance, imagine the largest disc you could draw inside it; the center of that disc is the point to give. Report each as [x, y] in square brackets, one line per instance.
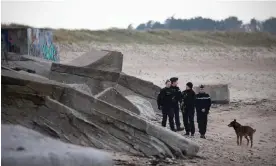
[41, 44]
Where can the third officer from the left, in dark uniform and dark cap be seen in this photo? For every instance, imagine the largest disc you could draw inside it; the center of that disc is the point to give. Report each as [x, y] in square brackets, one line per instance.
[188, 109]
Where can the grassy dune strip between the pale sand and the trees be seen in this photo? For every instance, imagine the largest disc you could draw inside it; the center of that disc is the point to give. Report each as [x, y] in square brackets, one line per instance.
[167, 37]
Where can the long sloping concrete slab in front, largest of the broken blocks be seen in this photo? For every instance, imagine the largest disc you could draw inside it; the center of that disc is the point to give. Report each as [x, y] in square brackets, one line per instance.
[96, 122]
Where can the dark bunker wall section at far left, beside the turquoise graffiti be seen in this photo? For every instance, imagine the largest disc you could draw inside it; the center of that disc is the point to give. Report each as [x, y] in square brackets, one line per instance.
[15, 40]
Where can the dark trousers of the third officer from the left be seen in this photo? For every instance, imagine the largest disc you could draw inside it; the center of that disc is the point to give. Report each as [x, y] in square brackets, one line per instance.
[188, 120]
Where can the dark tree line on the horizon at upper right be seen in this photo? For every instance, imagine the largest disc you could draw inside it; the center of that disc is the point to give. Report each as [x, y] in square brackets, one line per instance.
[207, 24]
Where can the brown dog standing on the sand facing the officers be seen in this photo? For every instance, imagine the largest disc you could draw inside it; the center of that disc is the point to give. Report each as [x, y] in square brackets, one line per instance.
[242, 131]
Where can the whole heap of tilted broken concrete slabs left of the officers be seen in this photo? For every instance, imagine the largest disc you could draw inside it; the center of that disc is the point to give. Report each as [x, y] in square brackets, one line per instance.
[88, 102]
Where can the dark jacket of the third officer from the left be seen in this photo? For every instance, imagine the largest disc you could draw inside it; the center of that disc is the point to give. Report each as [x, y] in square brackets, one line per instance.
[188, 99]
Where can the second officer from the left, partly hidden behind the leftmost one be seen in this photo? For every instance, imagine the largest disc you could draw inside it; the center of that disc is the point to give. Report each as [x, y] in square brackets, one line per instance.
[176, 101]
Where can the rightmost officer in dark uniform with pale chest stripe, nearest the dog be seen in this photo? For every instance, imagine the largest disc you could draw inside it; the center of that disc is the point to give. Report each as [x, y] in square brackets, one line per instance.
[203, 104]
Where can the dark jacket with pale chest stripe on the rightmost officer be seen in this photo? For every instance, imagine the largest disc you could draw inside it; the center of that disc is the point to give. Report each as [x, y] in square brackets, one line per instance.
[203, 101]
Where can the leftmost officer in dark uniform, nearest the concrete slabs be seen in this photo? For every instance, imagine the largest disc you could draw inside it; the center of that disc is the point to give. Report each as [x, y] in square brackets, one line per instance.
[164, 102]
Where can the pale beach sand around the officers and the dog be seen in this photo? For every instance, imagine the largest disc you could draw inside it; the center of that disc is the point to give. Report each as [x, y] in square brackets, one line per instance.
[250, 73]
